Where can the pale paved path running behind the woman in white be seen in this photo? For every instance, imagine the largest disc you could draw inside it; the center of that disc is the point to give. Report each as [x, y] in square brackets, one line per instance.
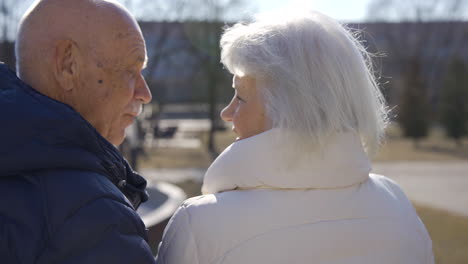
[442, 185]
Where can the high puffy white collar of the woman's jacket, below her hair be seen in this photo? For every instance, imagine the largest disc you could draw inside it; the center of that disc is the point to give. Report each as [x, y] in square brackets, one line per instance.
[261, 162]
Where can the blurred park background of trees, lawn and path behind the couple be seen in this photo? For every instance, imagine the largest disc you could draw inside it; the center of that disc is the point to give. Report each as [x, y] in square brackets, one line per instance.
[420, 55]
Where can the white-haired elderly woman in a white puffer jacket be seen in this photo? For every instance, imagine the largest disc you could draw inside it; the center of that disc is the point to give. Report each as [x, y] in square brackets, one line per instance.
[295, 187]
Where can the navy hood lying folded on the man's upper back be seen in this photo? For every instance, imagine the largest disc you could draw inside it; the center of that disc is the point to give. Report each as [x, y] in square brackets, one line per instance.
[39, 133]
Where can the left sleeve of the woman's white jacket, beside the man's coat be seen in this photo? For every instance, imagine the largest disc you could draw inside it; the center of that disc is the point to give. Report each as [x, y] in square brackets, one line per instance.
[178, 244]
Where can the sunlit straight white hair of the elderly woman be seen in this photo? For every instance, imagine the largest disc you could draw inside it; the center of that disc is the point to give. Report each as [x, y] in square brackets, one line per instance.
[314, 75]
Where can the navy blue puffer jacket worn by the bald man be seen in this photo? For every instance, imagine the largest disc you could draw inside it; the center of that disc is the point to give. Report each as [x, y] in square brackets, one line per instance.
[67, 195]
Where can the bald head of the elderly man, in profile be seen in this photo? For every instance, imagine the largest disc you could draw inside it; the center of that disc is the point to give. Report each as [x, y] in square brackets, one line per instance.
[88, 54]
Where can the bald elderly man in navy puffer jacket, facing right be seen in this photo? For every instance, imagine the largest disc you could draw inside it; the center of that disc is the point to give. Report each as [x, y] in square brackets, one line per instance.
[67, 195]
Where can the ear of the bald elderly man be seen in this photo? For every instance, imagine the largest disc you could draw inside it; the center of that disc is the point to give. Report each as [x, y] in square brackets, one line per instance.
[66, 60]
